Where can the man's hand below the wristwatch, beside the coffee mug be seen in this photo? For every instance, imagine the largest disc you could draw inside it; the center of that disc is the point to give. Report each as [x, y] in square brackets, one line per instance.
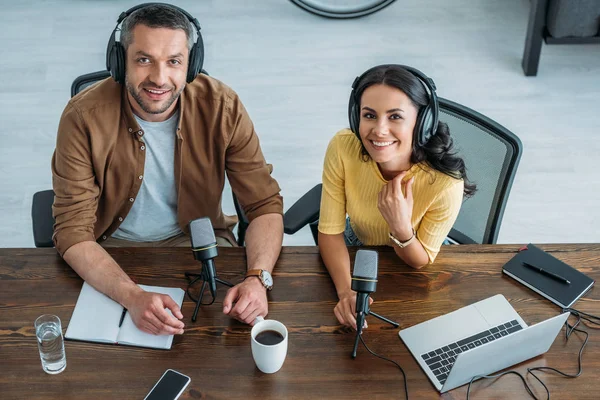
[250, 298]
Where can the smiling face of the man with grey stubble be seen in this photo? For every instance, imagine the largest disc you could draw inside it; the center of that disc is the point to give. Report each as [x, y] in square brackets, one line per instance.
[156, 70]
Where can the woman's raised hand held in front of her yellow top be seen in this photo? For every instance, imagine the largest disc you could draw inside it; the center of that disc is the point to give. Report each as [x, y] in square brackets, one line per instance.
[396, 207]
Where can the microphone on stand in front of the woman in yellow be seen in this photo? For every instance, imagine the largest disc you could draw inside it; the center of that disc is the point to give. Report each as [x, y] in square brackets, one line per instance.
[364, 282]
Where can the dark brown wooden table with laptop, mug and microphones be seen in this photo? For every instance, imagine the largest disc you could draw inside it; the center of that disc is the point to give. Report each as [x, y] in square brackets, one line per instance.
[215, 351]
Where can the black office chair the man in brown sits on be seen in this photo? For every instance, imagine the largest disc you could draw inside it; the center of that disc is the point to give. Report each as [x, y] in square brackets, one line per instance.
[41, 208]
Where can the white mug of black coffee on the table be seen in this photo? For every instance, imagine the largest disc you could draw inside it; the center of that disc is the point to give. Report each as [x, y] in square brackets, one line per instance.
[268, 358]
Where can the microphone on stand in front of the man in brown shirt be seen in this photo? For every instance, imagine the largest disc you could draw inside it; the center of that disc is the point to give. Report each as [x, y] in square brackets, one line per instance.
[204, 246]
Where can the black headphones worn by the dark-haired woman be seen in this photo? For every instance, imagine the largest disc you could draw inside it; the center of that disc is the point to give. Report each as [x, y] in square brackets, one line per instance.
[427, 118]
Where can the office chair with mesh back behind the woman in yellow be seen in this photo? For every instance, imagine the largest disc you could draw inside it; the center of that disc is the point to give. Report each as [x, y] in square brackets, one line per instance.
[491, 153]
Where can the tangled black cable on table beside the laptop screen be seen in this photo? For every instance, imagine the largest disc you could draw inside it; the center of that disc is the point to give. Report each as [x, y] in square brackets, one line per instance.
[569, 329]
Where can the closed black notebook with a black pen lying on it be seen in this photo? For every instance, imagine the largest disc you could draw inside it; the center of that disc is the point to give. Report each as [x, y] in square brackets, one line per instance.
[562, 292]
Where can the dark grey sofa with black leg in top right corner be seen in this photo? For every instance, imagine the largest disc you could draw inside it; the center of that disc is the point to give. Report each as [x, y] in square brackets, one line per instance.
[559, 22]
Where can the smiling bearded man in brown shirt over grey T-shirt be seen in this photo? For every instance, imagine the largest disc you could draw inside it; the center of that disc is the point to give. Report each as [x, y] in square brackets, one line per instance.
[135, 163]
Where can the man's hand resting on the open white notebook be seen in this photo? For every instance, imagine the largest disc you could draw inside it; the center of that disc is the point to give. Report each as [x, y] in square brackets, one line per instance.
[148, 312]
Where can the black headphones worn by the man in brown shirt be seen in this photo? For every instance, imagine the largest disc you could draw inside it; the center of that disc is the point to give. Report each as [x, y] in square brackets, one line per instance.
[115, 52]
